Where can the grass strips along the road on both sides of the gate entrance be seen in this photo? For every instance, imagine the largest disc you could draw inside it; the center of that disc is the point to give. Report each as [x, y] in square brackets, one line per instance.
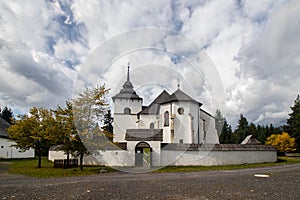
[29, 167]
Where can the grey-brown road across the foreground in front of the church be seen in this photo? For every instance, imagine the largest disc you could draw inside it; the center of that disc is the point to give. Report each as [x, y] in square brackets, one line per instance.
[283, 183]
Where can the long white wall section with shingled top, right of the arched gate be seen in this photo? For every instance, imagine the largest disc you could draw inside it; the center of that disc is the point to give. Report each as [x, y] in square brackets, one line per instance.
[219, 154]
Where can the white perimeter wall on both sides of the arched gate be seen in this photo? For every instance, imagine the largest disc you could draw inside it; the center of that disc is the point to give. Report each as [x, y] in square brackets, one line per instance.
[190, 158]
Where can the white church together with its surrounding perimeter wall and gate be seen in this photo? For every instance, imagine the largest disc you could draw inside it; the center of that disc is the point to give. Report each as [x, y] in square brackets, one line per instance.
[172, 130]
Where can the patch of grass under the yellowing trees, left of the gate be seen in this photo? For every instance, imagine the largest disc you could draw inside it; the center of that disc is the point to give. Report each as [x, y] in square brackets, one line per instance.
[29, 167]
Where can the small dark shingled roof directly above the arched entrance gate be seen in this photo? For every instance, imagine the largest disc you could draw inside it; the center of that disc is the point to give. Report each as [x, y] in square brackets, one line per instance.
[144, 135]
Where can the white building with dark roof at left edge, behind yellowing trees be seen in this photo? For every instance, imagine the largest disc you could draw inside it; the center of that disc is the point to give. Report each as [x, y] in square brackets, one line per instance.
[6, 148]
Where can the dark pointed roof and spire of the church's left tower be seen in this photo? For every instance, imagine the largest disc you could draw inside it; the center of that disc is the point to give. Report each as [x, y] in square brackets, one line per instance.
[127, 92]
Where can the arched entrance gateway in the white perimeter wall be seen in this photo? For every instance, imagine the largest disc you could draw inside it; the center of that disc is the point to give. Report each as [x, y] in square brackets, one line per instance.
[143, 153]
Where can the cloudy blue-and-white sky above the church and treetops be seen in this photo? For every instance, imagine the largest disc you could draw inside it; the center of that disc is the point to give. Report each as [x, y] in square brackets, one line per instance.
[251, 47]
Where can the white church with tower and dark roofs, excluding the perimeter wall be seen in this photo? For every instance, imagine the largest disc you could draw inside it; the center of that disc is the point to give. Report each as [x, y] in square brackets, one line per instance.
[170, 118]
